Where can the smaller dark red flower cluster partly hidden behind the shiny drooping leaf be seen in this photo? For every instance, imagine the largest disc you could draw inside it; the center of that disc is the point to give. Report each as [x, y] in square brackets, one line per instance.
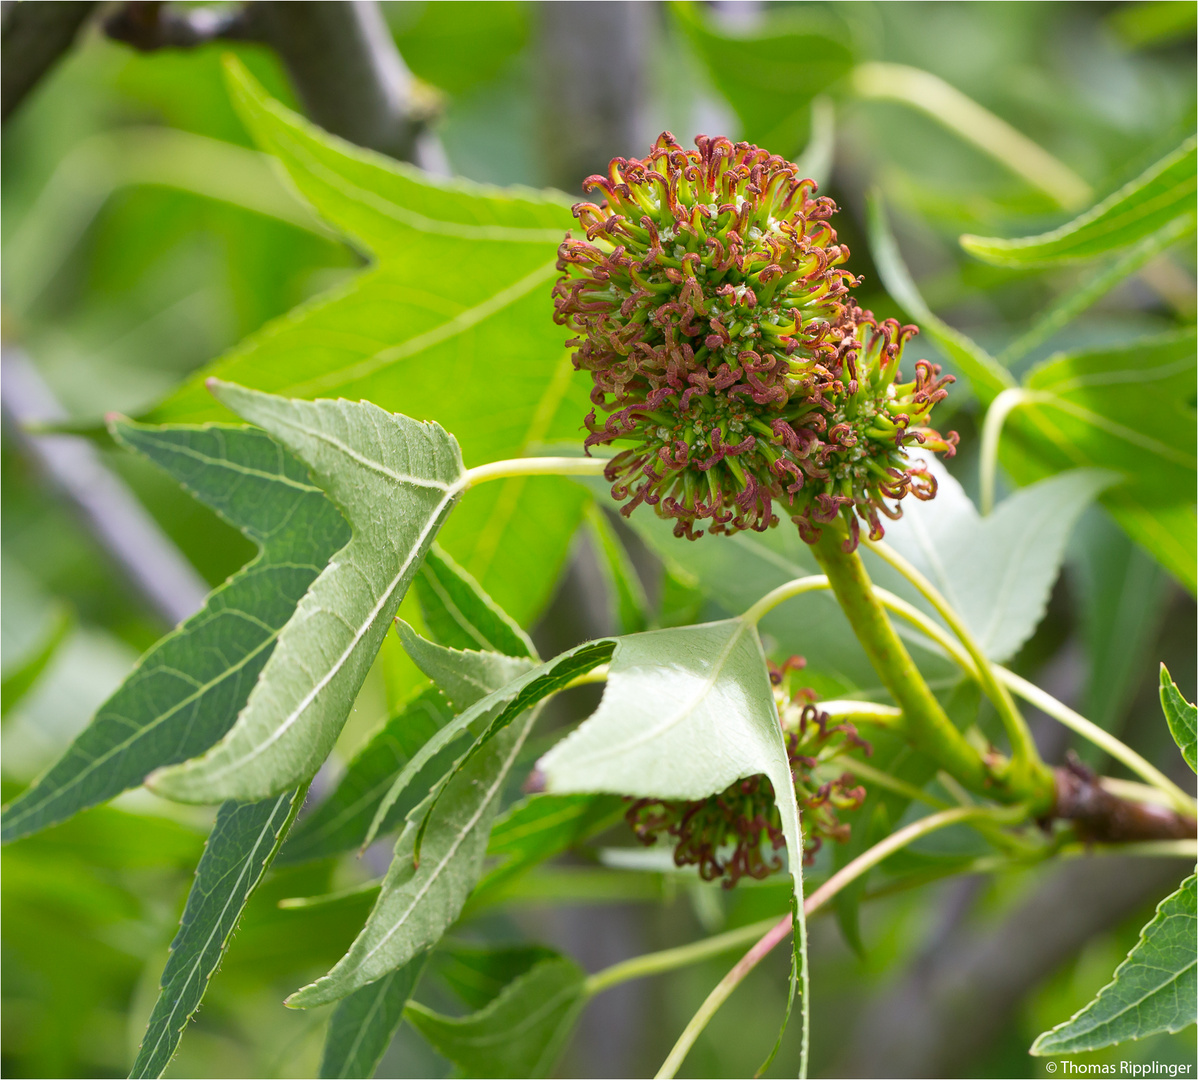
[739, 832]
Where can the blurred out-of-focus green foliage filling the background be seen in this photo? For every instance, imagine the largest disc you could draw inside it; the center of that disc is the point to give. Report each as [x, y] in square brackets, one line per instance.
[142, 239]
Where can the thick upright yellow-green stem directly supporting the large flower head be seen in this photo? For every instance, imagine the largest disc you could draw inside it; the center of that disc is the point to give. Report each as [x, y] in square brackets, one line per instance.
[924, 721]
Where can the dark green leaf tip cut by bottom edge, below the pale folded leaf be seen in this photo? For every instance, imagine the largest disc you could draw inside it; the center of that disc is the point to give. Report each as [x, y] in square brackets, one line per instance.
[364, 1026]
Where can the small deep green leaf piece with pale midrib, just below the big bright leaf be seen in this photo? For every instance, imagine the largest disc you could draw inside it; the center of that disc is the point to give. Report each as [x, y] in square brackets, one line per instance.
[461, 615]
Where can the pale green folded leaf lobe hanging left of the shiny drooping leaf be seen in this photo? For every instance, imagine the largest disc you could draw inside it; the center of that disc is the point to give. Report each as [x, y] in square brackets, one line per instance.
[420, 902]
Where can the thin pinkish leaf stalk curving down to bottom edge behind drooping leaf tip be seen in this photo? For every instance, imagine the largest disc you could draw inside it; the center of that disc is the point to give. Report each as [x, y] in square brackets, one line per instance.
[782, 931]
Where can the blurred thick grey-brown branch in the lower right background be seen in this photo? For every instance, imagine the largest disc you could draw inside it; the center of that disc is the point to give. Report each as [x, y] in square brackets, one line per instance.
[960, 996]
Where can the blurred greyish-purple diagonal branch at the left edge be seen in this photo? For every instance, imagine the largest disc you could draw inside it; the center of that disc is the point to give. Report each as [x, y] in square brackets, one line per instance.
[146, 555]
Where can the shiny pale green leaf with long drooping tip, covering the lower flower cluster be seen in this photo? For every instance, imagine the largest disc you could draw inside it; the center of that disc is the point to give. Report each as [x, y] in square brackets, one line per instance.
[686, 713]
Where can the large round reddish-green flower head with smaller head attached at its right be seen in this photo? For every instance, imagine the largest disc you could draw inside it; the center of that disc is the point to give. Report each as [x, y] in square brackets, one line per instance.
[733, 369]
